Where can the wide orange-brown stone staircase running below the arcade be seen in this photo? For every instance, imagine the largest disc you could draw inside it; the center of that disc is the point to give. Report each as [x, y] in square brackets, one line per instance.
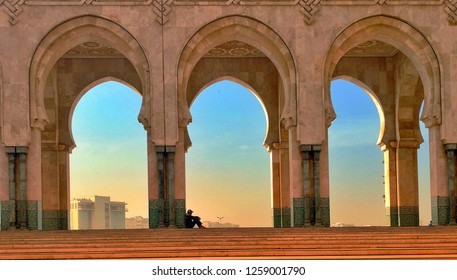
[234, 243]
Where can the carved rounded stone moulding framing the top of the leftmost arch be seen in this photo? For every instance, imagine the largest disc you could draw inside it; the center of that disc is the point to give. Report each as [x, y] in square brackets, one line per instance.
[72, 33]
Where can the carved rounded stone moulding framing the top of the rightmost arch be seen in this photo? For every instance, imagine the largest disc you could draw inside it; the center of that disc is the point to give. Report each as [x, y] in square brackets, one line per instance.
[406, 38]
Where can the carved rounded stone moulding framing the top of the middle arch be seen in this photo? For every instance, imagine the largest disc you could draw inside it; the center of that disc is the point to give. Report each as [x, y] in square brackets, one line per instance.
[249, 31]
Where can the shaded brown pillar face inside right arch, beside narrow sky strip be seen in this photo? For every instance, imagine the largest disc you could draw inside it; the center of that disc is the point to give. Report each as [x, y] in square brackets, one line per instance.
[407, 184]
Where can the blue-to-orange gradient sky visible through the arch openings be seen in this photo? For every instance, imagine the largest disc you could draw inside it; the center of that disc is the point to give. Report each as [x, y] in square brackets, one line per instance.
[227, 168]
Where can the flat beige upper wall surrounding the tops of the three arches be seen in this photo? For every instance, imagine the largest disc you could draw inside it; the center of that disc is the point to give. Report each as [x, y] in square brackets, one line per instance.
[308, 45]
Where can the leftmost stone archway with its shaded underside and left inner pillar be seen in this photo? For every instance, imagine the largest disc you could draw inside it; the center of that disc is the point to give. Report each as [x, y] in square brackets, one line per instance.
[51, 103]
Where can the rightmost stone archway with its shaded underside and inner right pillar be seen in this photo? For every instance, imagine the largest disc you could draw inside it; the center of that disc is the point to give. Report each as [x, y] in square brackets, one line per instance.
[413, 74]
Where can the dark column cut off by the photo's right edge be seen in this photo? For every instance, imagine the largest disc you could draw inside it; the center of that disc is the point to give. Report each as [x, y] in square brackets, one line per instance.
[451, 181]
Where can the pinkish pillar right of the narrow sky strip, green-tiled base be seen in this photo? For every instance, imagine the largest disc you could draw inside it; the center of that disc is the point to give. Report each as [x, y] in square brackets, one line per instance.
[438, 178]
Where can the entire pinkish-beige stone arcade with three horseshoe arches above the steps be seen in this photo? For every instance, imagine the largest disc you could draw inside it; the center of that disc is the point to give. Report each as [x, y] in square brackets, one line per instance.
[286, 52]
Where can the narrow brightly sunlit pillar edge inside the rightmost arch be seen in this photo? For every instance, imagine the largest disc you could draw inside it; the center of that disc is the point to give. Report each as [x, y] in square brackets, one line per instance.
[390, 185]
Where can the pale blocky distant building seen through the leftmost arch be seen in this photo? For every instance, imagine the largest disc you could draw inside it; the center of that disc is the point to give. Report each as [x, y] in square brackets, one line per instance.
[98, 212]
